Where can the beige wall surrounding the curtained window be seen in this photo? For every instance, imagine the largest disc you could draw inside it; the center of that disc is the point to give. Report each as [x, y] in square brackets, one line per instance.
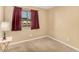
[27, 34]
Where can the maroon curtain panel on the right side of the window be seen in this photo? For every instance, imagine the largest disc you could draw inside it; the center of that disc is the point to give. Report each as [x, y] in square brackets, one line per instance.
[34, 19]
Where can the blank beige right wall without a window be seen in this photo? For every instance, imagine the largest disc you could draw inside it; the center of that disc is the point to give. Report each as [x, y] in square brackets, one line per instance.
[64, 24]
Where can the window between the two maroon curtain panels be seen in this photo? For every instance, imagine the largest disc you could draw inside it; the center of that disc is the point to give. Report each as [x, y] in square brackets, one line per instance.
[26, 19]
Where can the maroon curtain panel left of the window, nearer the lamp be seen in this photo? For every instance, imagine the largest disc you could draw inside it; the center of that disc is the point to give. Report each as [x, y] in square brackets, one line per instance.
[16, 21]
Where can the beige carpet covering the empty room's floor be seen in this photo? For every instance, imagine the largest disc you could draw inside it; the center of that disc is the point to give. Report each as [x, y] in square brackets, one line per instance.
[41, 45]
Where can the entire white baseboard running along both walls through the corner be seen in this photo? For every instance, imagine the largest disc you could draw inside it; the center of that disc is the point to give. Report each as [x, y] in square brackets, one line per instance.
[13, 44]
